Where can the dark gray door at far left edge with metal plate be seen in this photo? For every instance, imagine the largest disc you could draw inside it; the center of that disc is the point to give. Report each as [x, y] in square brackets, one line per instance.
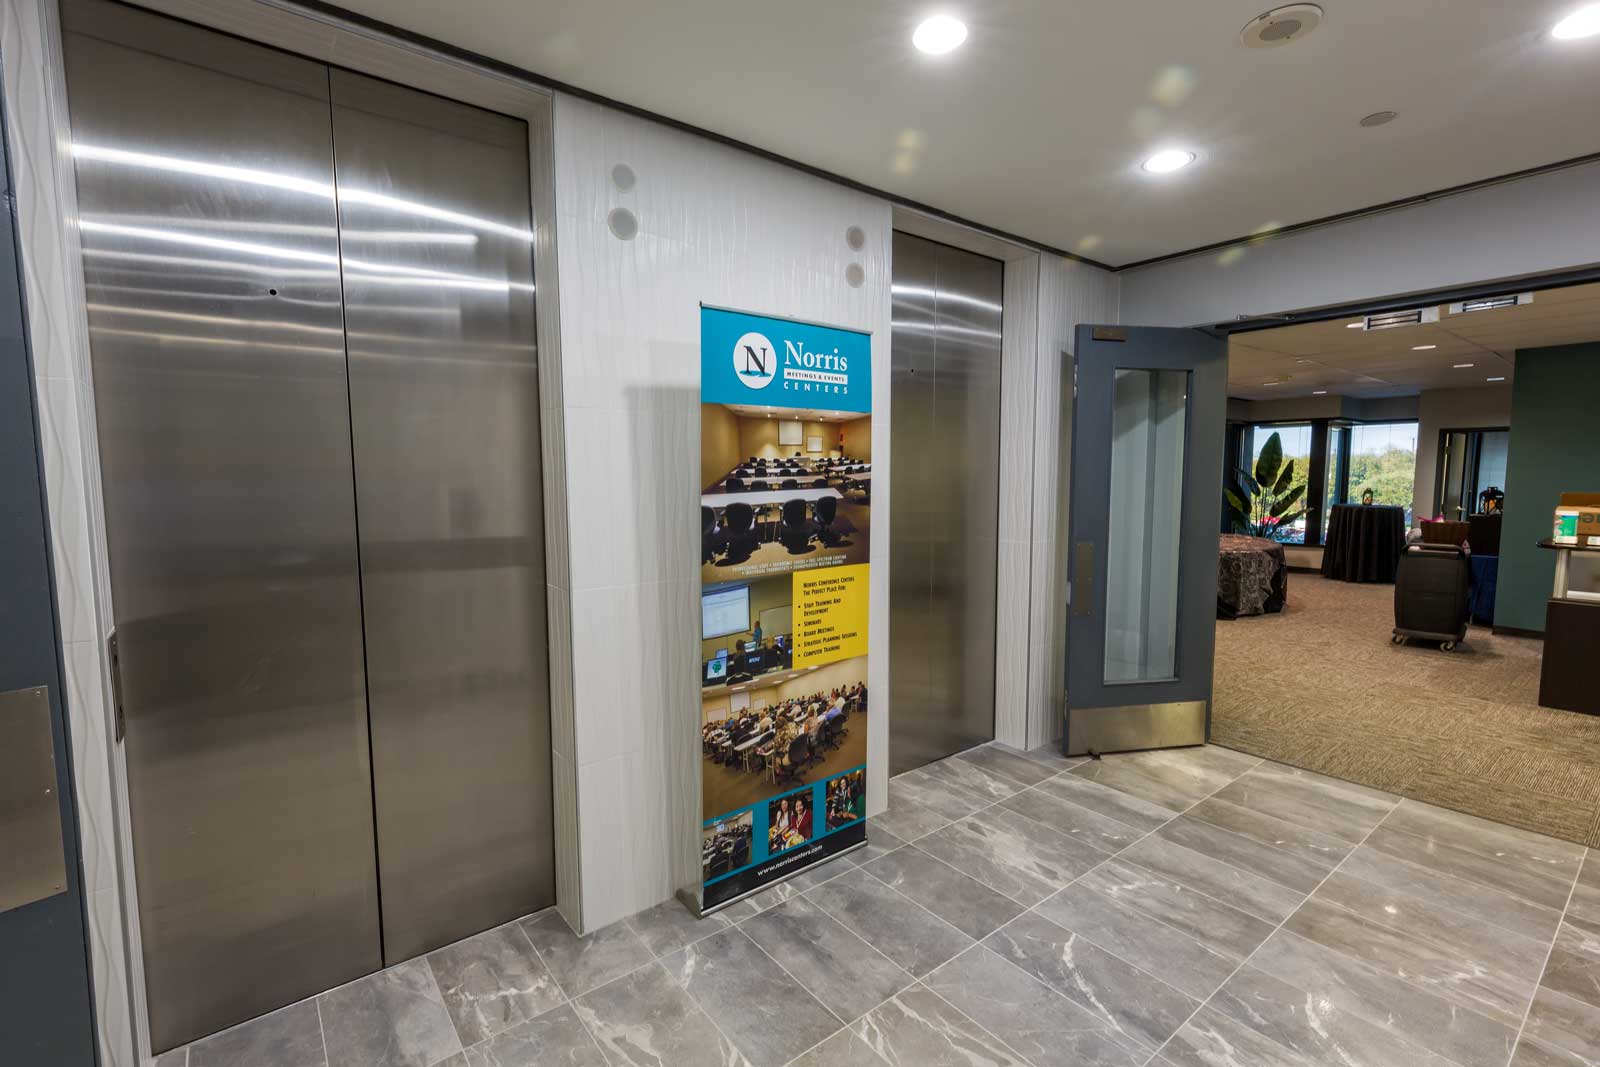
[46, 1005]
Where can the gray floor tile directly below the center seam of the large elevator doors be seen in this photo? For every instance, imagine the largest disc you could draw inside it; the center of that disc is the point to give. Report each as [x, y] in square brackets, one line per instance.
[390, 1020]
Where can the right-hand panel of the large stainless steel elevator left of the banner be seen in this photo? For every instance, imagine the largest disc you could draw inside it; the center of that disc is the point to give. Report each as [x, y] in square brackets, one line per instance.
[434, 222]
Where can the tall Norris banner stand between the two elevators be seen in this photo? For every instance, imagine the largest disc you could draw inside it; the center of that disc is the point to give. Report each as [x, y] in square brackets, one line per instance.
[786, 503]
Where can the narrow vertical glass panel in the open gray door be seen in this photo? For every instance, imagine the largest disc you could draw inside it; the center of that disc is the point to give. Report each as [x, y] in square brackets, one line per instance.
[1150, 417]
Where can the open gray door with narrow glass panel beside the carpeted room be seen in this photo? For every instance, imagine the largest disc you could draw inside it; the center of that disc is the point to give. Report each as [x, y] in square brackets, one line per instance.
[1148, 425]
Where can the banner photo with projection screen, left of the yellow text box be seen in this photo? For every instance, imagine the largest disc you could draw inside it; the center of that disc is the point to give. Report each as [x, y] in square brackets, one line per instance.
[746, 631]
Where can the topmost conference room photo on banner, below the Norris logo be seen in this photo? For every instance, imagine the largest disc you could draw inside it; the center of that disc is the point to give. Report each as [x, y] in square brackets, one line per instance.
[782, 486]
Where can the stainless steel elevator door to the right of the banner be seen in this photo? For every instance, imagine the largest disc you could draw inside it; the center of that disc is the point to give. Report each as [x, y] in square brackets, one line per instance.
[945, 439]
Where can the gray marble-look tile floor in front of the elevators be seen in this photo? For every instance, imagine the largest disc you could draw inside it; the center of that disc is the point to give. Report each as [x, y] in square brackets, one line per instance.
[1169, 909]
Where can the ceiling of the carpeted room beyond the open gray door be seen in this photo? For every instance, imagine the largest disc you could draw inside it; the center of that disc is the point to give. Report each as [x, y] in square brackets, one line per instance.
[1348, 362]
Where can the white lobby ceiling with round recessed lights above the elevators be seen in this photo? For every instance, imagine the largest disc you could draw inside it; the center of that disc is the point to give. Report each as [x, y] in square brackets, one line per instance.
[1038, 124]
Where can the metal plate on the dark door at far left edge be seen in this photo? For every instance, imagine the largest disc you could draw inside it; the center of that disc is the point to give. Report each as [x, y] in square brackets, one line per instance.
[33, 858]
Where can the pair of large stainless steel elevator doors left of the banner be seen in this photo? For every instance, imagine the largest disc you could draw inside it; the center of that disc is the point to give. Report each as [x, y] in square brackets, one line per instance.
[311, 316]
